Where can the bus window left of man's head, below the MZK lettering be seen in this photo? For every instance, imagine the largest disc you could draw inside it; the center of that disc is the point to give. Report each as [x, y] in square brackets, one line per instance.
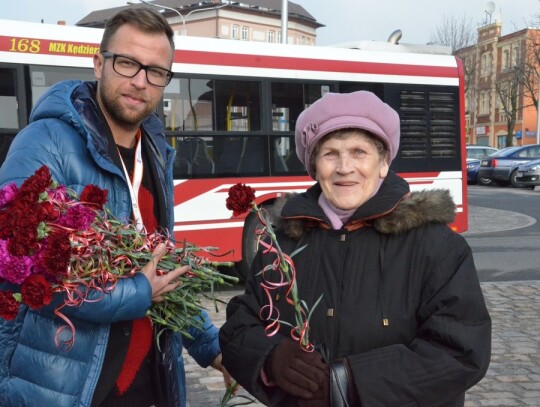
[43, 77]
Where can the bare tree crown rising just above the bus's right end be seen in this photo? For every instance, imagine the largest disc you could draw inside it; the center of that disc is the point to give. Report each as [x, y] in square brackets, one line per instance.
[455, 32]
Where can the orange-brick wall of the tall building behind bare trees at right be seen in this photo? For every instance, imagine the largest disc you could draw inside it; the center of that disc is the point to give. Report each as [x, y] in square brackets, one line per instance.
[491, 61]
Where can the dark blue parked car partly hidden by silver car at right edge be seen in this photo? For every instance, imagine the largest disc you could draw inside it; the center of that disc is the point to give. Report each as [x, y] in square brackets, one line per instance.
[502, 166]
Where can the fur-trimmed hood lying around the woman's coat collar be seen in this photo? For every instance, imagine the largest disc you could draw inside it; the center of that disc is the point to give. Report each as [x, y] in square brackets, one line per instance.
[393, 210]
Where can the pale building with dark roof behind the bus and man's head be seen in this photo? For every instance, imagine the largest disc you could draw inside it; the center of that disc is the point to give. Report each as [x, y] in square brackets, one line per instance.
[248, 20]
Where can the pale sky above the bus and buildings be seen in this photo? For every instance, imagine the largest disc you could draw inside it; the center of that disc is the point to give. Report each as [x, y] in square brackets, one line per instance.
[344, 20]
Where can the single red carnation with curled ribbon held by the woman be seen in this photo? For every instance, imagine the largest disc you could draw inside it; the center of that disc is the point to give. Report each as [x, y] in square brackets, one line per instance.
[241, 199]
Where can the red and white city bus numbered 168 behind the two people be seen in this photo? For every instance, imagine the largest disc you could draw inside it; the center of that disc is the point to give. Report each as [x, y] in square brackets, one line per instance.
[231, 108]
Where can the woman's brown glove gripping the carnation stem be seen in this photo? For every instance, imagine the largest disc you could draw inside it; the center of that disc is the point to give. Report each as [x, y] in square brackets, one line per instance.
[295, 371]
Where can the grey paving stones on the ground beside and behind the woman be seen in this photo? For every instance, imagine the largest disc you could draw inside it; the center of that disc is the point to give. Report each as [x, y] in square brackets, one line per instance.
[513, 378]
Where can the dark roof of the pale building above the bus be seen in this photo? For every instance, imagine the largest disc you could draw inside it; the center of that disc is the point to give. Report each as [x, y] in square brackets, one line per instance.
[98, 18]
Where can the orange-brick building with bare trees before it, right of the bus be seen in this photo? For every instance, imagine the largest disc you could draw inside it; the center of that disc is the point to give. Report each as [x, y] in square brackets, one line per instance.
[501, 87]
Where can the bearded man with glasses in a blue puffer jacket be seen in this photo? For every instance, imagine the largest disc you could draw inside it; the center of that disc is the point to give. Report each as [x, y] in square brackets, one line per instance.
[105, 133]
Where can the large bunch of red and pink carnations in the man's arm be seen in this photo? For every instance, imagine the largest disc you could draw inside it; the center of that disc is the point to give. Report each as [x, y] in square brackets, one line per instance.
[52, 243]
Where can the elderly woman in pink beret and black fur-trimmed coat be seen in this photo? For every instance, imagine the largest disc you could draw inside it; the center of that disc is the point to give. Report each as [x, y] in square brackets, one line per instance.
[402, 319]
